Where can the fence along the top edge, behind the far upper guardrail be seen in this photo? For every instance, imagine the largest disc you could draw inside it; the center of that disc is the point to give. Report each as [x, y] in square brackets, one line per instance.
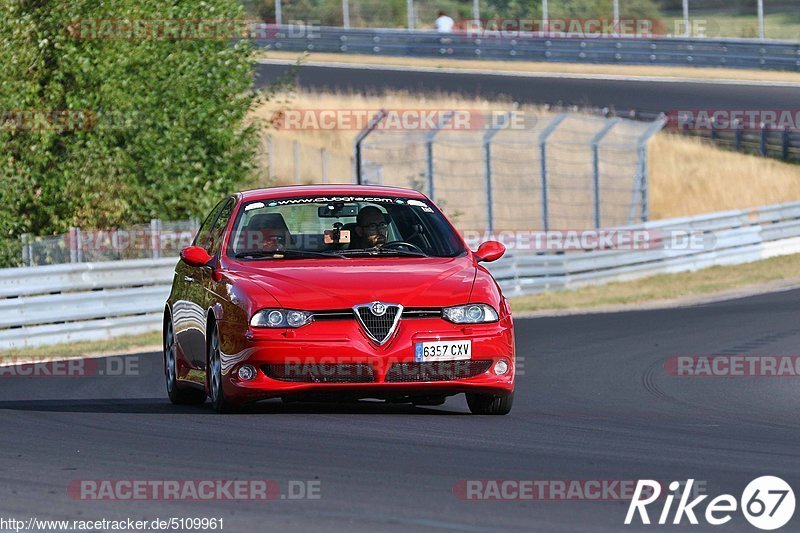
[749, 19]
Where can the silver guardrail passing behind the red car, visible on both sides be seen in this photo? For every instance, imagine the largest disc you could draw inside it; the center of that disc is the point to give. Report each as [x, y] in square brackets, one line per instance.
[91, 301]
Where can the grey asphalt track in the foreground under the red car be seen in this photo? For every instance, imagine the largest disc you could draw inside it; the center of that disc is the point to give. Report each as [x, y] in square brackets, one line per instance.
[594, 403]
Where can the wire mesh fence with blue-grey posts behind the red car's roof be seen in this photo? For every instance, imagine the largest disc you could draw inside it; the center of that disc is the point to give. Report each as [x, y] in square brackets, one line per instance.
[557, 171]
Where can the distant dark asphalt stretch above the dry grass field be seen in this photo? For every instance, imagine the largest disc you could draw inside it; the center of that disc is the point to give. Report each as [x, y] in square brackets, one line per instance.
[622, 95]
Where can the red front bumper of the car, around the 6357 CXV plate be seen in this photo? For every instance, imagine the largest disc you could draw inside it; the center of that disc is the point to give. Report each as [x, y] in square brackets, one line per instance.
[353, 365]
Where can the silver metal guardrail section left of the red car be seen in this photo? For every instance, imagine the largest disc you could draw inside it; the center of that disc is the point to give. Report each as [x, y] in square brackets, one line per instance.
[82, 301]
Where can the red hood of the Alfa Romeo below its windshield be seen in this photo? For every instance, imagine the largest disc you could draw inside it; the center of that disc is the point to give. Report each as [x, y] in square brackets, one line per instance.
[321, 284]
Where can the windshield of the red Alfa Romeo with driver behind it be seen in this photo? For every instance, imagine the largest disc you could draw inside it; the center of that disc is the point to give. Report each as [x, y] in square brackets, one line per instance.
[334, 227]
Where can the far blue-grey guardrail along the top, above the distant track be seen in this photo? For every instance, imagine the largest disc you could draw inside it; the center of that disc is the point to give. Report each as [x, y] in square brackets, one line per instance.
[697, 52]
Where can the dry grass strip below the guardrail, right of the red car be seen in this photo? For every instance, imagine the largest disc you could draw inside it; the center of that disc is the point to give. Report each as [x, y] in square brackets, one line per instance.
[666, 287]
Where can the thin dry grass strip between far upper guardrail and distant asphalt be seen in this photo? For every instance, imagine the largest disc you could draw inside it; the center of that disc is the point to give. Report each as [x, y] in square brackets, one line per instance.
[705, 73]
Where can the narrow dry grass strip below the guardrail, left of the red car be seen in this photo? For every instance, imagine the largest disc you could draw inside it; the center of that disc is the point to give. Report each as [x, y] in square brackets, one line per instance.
[118, 345]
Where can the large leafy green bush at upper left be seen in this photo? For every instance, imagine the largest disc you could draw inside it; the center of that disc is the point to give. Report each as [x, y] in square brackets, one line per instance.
[166, 134]
